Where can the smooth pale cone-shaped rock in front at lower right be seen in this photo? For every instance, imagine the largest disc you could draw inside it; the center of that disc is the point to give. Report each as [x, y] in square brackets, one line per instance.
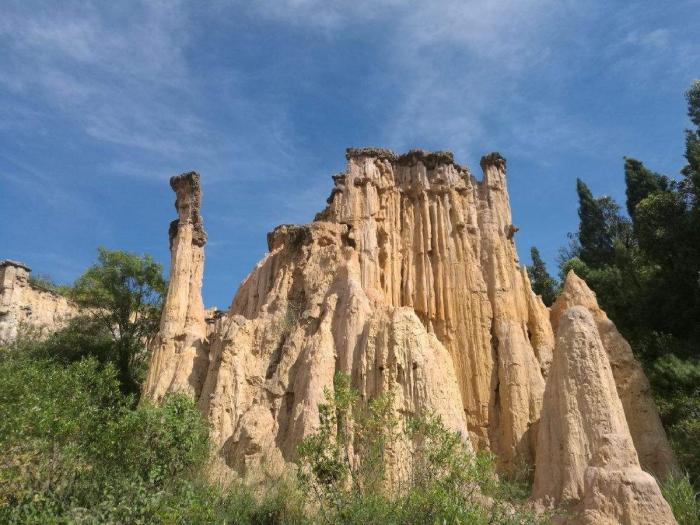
[586, 459]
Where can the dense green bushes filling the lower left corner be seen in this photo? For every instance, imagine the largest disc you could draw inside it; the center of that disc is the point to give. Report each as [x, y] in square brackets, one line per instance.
[73, 450]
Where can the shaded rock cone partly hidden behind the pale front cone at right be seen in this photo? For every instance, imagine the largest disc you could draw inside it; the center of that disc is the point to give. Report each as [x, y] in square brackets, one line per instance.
[655, 454]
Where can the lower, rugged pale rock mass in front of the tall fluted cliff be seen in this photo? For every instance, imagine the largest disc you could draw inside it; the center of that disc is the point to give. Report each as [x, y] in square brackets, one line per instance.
[279, 355]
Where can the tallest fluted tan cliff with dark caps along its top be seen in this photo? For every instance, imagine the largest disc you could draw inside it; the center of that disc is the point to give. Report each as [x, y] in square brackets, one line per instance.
[430, 237]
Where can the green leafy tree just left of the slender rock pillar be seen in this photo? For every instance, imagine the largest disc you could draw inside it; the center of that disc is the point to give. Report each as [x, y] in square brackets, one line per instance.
[123, 294]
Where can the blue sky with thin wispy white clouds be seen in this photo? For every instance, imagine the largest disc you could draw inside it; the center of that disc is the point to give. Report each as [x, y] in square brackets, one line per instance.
[101, 102]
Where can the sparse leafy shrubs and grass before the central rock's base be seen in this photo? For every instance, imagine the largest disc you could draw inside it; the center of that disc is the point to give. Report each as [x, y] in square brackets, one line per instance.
[445, 481]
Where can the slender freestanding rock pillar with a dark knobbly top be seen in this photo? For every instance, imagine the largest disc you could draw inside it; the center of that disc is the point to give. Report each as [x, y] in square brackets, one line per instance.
[179, 351]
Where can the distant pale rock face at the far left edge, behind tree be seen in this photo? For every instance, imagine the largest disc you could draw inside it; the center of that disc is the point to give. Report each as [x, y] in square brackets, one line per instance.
[25, 304]
